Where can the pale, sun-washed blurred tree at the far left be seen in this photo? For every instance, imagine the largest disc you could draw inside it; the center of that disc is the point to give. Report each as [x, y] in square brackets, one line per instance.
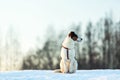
[12, 51]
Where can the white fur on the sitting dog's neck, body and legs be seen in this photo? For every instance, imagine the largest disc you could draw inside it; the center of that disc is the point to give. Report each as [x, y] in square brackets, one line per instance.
[68, 65]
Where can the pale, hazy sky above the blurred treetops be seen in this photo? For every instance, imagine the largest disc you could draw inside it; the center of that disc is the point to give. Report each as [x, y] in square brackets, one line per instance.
[31, 18]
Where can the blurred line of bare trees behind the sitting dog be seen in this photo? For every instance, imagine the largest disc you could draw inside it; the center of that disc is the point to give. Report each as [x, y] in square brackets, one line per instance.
[100, 48]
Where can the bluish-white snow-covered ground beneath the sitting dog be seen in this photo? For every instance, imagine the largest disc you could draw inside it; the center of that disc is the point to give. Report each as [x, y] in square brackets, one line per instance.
[50, 75]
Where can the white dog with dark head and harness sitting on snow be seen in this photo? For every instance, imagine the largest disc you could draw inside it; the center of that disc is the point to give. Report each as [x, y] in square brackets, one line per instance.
[68, 63]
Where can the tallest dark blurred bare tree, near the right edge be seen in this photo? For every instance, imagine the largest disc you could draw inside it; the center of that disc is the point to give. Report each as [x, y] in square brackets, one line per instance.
[107, 42]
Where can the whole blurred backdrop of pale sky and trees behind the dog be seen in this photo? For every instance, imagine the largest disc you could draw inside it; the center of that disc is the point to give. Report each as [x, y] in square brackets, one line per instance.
[31, 33]
